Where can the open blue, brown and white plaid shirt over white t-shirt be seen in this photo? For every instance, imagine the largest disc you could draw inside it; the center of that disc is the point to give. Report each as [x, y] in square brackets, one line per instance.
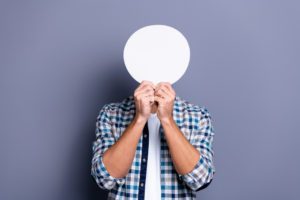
[194, 122]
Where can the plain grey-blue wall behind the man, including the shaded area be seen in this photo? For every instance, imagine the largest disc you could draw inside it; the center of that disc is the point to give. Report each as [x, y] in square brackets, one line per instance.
[60, 61]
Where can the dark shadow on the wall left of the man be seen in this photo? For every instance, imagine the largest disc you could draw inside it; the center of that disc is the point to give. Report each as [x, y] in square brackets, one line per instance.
[113, 86]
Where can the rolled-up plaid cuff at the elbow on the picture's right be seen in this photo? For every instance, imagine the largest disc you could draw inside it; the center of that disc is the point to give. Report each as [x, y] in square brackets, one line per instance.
[201, 173]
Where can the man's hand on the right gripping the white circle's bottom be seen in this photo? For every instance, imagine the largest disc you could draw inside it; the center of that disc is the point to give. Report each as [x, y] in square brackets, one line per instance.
[165, 95]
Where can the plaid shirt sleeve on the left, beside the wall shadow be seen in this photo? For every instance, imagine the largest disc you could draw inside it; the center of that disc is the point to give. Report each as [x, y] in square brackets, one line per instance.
[104, 139]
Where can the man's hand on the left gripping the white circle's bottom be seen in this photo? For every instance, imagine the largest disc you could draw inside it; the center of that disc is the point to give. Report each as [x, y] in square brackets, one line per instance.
[144, 98]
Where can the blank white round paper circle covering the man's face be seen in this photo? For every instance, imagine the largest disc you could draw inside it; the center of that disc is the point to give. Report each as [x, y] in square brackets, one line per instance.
[156, 53]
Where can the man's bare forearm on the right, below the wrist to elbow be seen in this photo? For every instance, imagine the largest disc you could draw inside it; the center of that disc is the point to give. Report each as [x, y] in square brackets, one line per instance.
[184, 155]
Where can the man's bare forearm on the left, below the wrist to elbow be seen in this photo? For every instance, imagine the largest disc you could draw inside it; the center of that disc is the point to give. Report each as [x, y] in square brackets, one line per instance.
[119, 157]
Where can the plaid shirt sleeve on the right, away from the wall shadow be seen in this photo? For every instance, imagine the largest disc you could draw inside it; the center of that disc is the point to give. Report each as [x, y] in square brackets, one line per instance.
[202, 139]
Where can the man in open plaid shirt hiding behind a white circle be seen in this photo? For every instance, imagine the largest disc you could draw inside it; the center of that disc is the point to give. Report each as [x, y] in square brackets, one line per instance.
[153, 145]
